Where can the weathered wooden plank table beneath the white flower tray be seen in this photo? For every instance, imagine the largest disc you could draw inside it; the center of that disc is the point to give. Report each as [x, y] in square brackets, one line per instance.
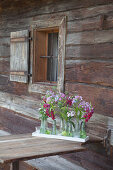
[15, 148]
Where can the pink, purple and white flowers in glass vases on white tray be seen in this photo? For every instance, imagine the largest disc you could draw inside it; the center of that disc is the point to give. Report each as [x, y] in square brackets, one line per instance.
[73, 111]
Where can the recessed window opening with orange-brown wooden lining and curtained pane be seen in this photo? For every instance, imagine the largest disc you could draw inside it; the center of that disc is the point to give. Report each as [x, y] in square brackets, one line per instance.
[45, 61]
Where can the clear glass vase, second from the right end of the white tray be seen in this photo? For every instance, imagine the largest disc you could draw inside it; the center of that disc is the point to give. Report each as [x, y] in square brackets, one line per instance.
[77, 129]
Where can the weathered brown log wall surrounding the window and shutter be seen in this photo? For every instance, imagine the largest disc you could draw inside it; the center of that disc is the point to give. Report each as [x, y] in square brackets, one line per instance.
[89, 54]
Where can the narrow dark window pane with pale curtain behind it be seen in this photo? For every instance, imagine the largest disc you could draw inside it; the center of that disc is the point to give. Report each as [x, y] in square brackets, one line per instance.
[52, 64]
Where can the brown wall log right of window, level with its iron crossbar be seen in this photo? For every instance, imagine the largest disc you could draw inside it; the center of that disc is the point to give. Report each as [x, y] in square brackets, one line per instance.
[96, 51]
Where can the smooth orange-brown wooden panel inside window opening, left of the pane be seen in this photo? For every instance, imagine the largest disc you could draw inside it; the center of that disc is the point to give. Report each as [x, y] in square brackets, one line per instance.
[40, 63]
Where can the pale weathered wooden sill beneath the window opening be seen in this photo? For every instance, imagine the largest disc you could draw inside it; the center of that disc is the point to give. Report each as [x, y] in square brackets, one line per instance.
[41, 87]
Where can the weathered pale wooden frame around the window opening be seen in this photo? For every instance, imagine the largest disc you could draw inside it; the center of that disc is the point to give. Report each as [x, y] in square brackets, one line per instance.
[60, 24]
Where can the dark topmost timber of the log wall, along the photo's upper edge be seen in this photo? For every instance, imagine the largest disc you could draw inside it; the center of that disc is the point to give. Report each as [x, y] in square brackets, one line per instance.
[39, 7]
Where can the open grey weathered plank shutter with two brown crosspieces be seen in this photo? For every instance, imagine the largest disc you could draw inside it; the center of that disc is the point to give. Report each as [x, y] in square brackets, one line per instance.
[19, 55]
